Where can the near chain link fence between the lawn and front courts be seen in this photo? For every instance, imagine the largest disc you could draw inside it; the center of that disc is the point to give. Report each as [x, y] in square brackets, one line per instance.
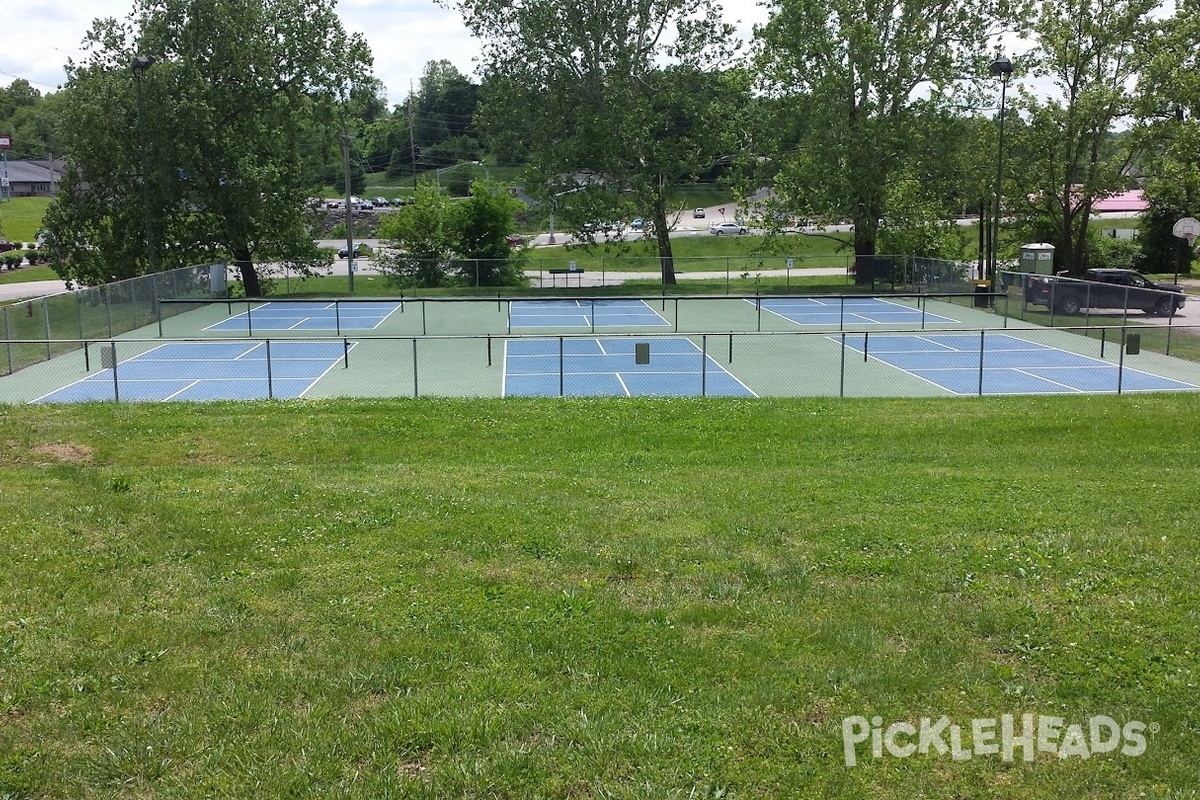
[881, 363]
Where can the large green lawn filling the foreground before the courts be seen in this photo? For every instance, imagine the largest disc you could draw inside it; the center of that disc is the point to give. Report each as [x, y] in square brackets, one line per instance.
[593, 599]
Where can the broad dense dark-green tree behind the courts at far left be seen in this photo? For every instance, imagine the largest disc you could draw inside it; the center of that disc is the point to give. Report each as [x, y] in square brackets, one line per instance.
[209, 139]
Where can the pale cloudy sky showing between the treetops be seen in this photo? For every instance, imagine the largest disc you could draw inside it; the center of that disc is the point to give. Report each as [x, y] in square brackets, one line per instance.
[405, 35]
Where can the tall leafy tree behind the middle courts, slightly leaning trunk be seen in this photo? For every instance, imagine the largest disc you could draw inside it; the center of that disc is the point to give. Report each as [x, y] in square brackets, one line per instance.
[629, 94]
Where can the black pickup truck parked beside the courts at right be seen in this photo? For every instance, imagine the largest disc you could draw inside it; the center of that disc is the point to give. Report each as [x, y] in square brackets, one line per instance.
[1105, 290]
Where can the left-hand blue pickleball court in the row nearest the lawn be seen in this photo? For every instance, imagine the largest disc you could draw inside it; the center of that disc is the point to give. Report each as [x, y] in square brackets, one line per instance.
[207, 371]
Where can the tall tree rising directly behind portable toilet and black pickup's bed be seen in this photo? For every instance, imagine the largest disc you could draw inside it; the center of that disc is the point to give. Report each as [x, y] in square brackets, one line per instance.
[1091, 52]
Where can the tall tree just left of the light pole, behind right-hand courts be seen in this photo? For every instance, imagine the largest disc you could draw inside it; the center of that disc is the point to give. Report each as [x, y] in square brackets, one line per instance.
[860, 76]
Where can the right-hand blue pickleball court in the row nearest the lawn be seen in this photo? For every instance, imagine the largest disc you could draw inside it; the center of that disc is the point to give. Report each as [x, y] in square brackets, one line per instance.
[1011, 365]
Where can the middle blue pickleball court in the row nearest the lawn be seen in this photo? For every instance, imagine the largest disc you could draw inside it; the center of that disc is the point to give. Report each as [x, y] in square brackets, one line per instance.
[609, 368]
